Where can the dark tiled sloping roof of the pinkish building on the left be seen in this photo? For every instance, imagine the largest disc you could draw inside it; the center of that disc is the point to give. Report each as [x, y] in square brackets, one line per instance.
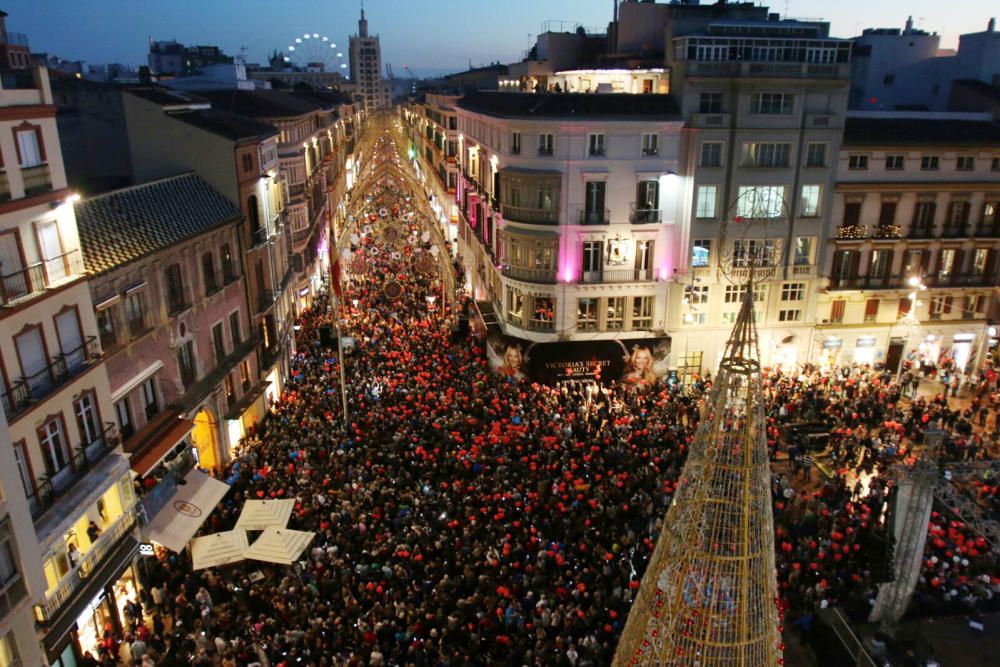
[125, 225]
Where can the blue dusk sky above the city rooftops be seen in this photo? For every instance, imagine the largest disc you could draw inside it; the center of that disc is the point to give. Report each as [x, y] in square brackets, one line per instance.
[426, 35]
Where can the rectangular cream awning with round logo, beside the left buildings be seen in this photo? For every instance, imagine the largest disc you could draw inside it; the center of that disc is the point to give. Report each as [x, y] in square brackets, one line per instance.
[180, 519]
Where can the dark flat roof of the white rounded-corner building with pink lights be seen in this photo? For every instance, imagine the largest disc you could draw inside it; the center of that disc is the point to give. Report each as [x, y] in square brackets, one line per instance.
[572, 106]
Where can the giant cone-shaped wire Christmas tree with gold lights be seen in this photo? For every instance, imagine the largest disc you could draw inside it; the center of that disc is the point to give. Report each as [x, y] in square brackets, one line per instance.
[709, 596]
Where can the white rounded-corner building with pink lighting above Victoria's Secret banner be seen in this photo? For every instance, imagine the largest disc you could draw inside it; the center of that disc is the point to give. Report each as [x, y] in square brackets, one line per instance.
[568, 209]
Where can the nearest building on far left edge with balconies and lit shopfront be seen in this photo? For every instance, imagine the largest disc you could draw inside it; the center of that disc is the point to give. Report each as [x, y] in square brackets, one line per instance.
[67, 463]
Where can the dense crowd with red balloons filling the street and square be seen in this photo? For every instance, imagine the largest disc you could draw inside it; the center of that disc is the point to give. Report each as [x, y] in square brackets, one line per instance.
[466, 517]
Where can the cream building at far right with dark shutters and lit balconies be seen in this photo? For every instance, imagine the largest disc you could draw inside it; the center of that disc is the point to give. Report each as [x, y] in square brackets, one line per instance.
[915, 238]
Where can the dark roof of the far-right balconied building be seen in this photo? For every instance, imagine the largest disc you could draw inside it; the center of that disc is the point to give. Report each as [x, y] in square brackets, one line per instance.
[921, 129]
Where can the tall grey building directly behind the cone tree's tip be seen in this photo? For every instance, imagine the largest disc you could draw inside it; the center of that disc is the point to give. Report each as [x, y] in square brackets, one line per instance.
[765, 103]
